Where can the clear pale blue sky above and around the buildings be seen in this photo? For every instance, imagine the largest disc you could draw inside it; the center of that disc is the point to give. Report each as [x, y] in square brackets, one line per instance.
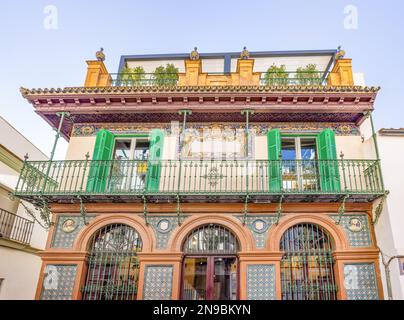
[32, 56]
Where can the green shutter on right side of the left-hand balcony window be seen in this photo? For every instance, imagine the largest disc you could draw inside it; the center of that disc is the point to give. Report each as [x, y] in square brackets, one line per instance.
[154, 167]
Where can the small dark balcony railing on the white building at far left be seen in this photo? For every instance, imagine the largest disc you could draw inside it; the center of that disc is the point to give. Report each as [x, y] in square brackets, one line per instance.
[15, 228]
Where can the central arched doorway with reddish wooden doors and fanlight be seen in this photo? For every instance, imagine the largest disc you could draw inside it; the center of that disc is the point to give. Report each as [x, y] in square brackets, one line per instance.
[210, 264]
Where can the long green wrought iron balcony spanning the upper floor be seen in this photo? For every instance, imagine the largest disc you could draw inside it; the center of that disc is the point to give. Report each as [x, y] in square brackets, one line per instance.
[201, 180]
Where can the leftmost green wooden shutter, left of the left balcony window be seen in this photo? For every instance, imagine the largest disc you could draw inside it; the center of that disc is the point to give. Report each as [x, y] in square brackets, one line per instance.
[99, 170]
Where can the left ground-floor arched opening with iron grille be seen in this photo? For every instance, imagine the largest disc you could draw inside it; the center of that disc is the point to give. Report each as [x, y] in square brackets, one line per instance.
[113, 265]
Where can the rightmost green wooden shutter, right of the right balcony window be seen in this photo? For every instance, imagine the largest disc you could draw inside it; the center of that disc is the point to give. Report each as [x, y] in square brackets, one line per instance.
[328, 164]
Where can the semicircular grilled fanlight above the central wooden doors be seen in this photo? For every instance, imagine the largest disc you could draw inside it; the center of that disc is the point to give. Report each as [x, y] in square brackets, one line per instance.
[211, 239]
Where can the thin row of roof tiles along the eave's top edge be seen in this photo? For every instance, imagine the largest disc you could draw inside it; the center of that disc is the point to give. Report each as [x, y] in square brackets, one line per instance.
[189, 89]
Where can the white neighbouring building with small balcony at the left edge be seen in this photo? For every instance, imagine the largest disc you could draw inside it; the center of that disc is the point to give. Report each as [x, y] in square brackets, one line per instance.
[21, 238]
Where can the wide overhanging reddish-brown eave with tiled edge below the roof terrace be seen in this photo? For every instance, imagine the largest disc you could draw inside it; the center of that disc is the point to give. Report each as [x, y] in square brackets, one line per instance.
[160, 104]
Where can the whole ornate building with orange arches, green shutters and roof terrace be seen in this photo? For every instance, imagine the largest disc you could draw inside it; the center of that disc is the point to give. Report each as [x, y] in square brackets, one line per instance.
[210, 176]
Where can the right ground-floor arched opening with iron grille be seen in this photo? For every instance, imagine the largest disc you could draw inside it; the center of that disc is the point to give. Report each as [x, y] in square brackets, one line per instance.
[307, 264]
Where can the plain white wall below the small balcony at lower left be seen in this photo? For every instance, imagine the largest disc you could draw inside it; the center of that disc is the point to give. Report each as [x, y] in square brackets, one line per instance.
[20, 274]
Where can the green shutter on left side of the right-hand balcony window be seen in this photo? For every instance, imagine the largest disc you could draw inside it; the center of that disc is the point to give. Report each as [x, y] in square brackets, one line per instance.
[274, 167]
